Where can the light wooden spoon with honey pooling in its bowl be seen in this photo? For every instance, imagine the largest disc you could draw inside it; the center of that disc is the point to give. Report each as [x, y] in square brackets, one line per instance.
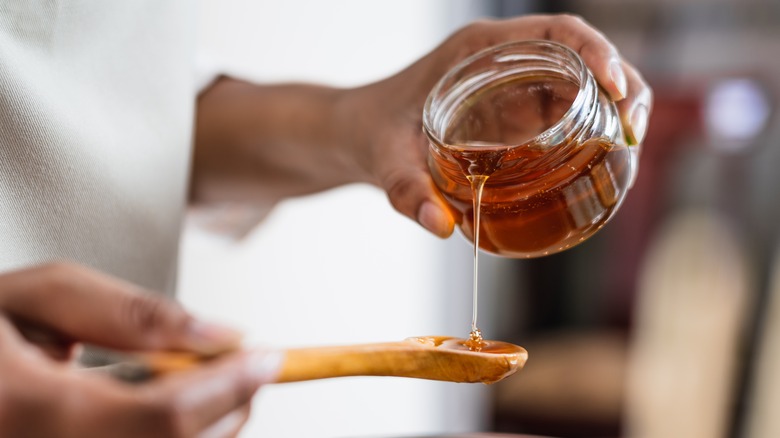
[428, 357]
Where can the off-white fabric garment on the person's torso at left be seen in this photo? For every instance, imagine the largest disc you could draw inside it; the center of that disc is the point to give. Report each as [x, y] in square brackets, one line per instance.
[96, 113]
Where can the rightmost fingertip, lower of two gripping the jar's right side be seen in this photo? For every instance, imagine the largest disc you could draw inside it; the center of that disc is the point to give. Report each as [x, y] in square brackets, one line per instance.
[636, 107]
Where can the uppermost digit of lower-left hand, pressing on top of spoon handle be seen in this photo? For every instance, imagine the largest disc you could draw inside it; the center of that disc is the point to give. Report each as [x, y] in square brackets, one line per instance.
[95, 308]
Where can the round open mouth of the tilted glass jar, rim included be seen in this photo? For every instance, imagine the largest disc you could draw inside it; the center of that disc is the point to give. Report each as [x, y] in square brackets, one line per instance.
[526, 93]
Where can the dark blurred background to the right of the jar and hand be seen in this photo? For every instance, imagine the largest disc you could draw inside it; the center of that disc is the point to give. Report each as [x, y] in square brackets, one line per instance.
[663, 324]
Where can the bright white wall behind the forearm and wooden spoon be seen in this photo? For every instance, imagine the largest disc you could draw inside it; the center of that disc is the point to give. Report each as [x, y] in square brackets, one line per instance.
[339, 267]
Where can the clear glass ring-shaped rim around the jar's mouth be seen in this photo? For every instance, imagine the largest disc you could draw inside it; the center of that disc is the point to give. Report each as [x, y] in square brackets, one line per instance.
[517, 48]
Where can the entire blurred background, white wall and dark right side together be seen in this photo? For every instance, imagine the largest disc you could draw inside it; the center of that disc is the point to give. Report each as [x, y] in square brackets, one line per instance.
[665, 324]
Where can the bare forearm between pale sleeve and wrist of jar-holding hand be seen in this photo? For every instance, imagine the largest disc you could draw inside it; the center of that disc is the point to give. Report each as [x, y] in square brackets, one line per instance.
[263, 143]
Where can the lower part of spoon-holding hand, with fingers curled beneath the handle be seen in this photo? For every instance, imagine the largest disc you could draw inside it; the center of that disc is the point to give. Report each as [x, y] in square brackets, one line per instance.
[83, 405]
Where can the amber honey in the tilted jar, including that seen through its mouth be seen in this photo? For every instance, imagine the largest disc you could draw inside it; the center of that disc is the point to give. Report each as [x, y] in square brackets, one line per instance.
[537, 199]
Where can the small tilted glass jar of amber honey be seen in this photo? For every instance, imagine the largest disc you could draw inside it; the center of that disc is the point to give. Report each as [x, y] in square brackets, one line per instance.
[529, 121]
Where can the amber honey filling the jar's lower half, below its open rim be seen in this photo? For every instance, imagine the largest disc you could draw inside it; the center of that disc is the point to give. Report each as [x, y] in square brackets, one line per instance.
[561, 208]
